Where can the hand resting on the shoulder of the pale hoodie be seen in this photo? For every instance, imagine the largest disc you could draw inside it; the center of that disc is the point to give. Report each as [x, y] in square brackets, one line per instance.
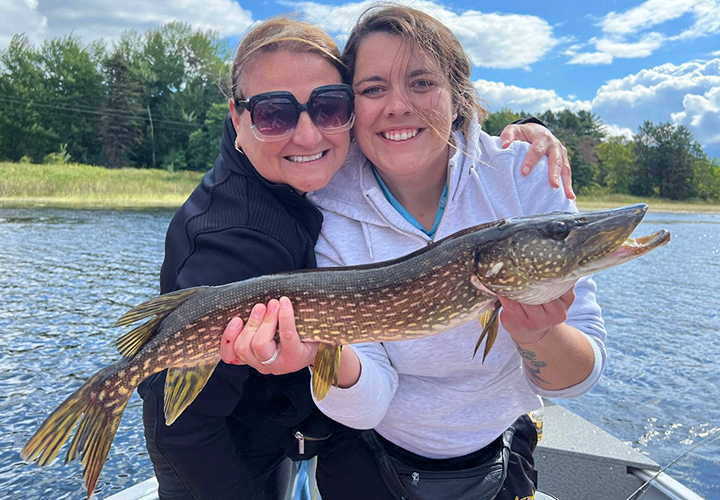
[542, 143]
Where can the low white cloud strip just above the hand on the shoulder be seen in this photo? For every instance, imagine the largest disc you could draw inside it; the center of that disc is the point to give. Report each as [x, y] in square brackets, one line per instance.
[497, 95]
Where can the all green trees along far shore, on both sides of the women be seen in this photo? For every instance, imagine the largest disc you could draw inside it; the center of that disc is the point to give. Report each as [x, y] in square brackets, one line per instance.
[158, 100]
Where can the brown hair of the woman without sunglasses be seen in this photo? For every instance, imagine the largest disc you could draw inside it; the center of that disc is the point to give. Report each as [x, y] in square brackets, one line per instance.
[435, 40]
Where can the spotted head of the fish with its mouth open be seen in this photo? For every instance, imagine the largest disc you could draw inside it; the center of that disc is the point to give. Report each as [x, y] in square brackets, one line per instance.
[536, 259]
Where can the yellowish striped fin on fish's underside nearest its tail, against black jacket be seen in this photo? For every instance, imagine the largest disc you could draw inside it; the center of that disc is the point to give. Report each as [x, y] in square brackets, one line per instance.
[182, 385]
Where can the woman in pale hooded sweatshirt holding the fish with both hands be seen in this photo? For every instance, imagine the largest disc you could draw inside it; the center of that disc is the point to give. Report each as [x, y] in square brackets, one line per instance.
[422, 169]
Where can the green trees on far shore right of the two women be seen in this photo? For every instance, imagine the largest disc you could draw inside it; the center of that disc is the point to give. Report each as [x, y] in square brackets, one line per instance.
[660, 160]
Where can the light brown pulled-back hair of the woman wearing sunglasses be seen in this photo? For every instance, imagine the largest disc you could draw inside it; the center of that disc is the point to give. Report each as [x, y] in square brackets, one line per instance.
[281, 33]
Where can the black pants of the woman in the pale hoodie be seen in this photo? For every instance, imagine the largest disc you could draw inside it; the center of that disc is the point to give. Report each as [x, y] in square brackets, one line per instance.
[347, 469]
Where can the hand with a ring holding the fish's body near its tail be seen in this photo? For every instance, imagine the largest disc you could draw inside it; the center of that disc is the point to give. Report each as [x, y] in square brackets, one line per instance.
[255, 342]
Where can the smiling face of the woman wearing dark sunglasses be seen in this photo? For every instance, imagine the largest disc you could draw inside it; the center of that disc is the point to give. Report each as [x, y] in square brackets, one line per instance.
[307, 159]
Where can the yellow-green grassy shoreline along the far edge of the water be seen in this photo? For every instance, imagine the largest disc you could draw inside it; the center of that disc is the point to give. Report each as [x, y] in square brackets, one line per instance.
[76, 186]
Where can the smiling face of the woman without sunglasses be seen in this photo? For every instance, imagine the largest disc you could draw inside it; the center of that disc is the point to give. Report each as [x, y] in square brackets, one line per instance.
[403, 109]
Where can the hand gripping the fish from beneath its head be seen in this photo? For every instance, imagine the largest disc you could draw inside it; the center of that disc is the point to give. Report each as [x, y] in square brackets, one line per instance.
[529, 324]
